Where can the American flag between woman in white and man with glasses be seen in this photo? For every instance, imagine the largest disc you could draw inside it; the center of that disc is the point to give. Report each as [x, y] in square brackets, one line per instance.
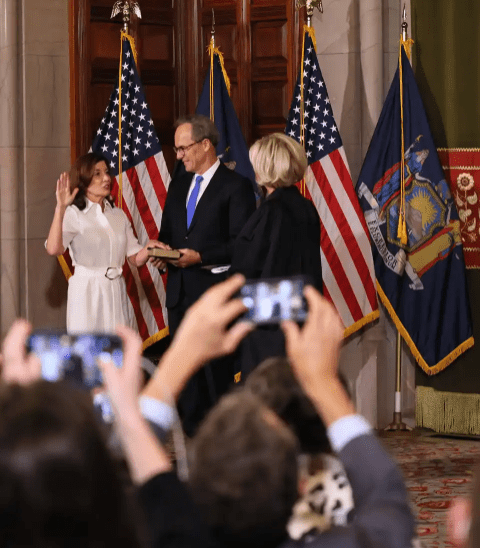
[145, 180]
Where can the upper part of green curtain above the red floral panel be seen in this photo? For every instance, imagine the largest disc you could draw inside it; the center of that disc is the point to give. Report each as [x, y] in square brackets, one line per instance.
[446, 60]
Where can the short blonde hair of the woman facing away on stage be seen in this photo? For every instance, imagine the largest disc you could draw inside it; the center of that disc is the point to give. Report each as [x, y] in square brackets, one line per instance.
[278, 160]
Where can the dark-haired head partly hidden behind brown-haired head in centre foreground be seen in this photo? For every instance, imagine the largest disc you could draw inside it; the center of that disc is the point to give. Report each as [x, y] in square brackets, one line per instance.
[275, 384]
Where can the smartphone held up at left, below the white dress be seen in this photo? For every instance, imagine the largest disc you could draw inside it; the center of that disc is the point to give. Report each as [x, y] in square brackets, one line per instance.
[74, 357]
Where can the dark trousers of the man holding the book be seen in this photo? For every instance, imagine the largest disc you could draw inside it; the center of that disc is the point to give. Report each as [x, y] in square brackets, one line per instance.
[206, 386]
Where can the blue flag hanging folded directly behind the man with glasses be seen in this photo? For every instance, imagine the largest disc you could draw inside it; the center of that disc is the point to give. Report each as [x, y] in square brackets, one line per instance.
[215, 103]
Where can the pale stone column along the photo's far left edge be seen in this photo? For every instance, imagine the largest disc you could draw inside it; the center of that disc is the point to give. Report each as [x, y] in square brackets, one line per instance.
[9, 171]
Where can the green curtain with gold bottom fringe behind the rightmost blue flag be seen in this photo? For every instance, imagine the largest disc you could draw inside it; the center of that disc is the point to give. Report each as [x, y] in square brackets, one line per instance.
[446, 60]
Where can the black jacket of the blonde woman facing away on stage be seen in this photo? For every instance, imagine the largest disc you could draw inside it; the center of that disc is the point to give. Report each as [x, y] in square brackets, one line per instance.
[282, 238]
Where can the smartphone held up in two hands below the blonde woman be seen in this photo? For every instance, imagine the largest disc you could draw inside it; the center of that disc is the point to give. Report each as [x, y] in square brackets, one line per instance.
[272, 300]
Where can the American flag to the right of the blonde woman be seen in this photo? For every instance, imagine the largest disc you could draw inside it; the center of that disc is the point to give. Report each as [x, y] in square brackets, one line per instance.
[347, 264]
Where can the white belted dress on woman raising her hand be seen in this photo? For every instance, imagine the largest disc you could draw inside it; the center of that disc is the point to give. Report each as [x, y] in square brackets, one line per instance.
[99, 243]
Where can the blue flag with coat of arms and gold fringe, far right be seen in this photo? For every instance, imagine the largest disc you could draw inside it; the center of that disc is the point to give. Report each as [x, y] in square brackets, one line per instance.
[420, 277]
